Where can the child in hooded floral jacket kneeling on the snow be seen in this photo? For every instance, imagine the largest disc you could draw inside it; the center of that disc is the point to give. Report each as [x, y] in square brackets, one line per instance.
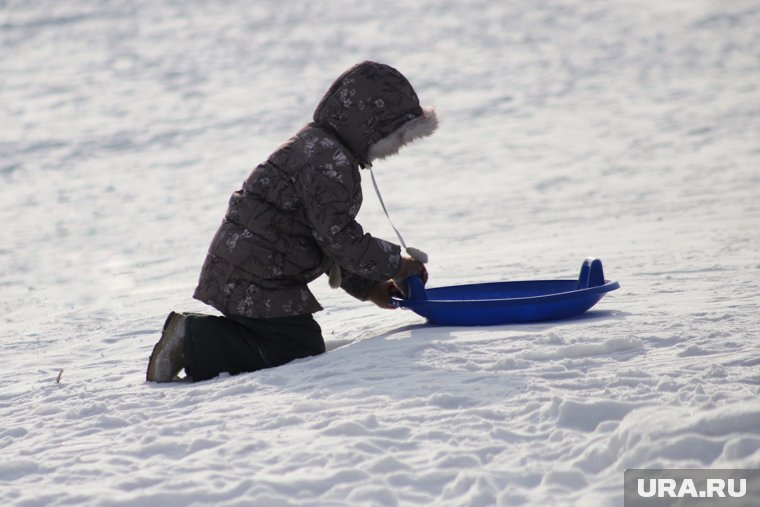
[292, 221]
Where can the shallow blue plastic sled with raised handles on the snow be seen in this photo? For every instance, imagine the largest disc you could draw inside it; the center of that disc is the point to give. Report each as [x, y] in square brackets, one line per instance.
[508, 302]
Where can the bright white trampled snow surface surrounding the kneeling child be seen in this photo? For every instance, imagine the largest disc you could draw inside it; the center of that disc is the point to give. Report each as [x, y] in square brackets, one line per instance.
[625, 130]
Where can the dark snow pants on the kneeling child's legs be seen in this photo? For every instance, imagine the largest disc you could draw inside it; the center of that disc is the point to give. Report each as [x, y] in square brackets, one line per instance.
[215, 345]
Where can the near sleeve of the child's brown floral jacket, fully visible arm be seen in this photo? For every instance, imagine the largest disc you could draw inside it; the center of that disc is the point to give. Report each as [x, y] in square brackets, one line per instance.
[331, 194]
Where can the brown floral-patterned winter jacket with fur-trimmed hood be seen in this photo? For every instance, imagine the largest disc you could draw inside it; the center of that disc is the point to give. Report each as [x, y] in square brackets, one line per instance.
[294, 217]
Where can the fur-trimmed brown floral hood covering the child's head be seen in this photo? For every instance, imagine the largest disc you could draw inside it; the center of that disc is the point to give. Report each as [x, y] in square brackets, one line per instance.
[374, 111]
